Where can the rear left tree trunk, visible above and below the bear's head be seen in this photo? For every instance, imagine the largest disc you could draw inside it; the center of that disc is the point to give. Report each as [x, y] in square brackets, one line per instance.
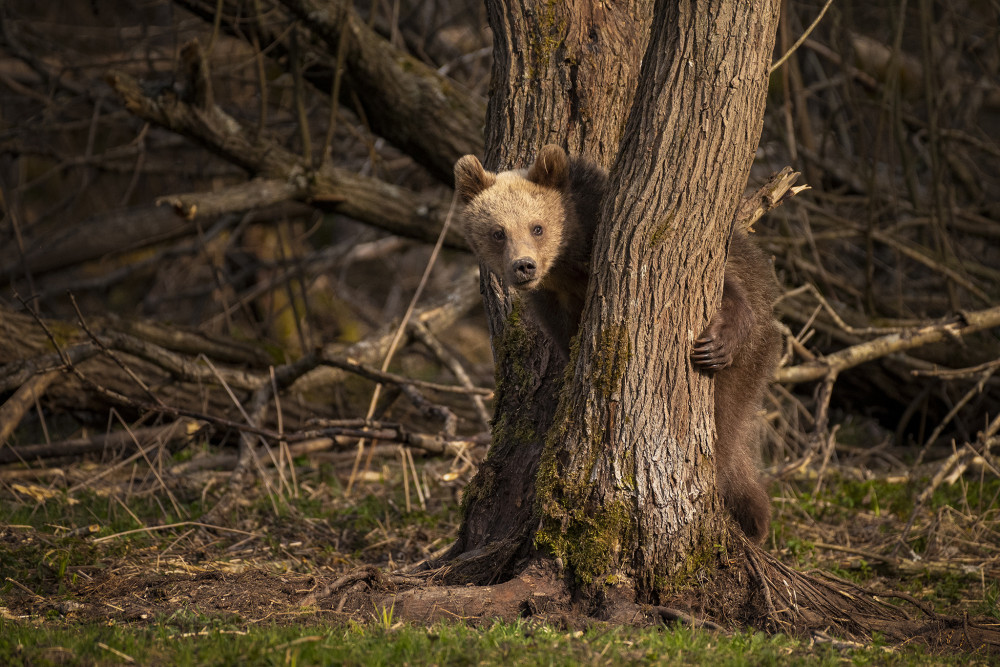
[563, 73]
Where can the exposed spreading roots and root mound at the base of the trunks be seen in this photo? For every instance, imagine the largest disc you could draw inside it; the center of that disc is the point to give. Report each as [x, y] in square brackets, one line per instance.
[771, 597]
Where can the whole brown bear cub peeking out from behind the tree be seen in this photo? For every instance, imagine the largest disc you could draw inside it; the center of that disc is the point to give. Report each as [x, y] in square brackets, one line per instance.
[534, 228]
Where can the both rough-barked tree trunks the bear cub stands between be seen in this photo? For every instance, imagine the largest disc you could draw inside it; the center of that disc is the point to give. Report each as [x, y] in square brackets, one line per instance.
[636, 423]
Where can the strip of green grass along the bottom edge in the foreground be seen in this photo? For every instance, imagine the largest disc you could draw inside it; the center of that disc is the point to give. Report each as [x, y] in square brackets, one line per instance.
[191, 640]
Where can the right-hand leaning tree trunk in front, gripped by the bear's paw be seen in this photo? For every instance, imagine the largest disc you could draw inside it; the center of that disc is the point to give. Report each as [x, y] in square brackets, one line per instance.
[628, 485]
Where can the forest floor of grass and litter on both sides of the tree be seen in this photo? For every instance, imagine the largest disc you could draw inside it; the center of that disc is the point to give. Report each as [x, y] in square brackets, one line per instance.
[105, 562]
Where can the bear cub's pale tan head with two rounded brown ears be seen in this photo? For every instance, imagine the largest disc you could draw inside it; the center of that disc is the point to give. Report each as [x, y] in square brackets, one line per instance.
[516, 221]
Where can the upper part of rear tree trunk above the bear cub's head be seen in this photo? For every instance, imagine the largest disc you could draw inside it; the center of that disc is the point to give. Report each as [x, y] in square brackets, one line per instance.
[563, 73]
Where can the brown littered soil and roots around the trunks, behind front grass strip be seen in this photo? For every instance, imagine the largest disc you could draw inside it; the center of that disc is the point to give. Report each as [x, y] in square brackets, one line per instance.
[297, 568]
